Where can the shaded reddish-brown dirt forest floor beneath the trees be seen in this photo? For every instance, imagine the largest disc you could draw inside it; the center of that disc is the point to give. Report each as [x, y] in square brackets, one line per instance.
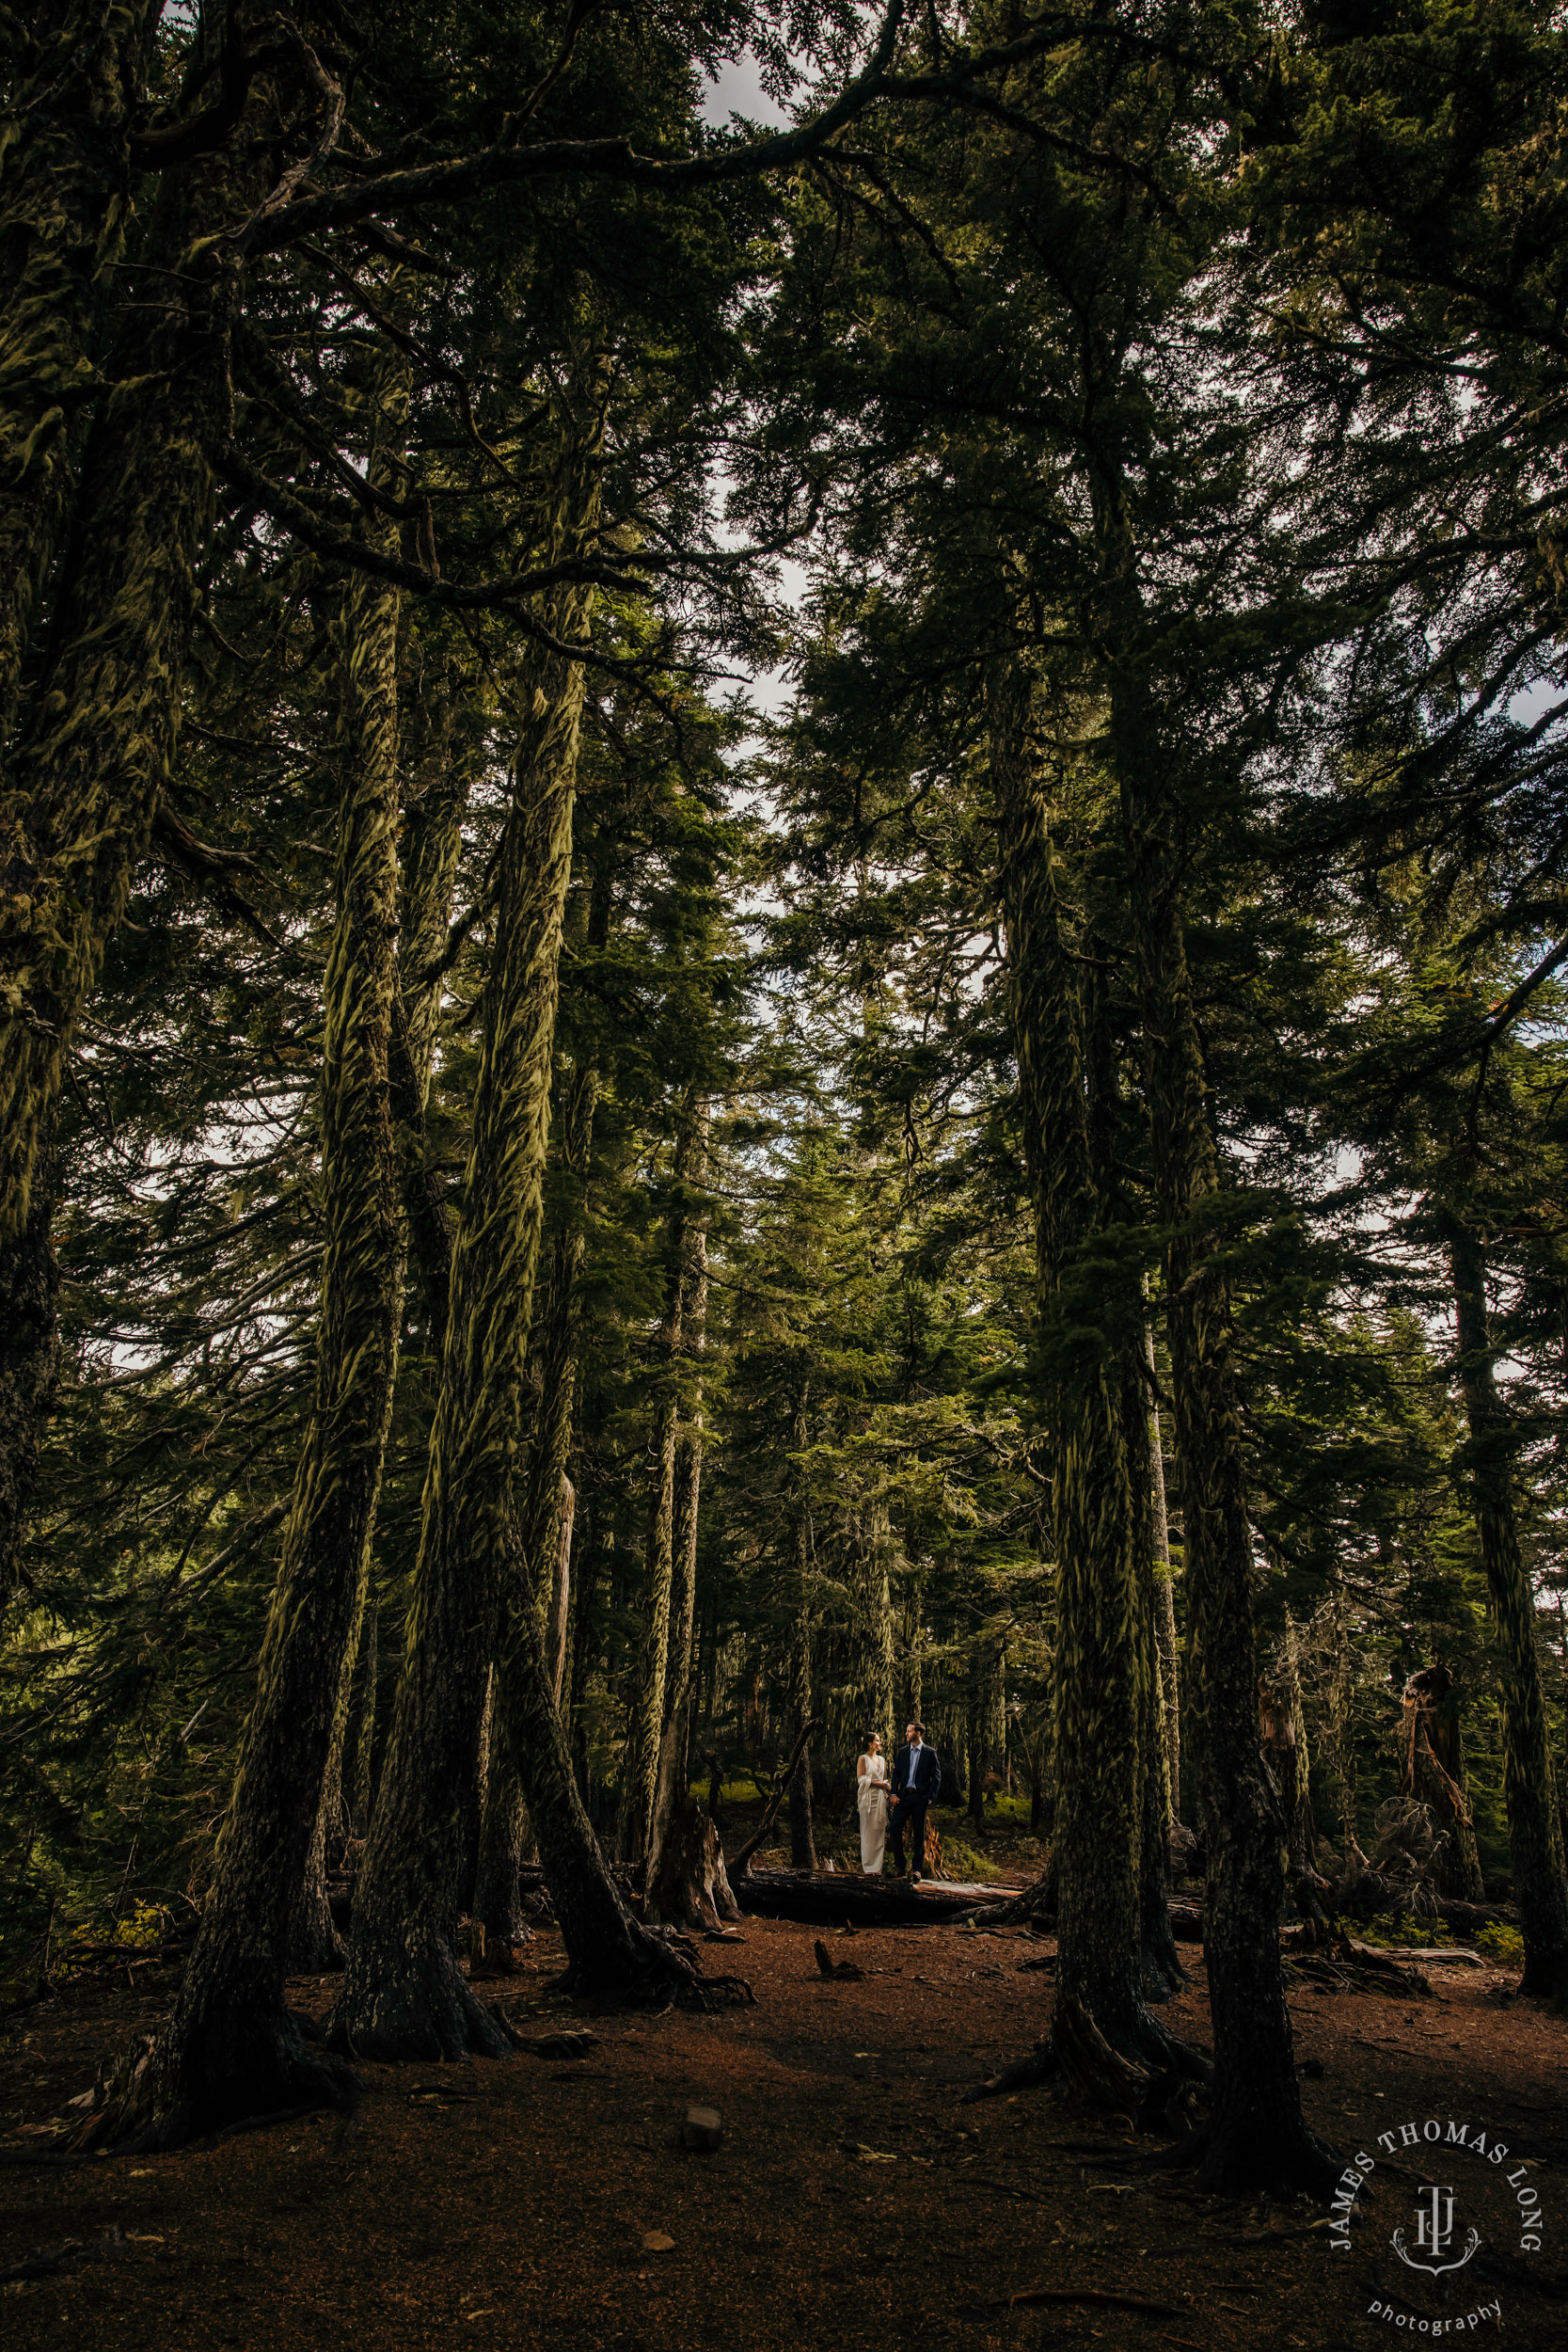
[852, 2203]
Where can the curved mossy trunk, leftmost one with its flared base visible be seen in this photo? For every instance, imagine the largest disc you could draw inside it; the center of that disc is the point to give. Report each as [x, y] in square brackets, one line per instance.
[229, 2047]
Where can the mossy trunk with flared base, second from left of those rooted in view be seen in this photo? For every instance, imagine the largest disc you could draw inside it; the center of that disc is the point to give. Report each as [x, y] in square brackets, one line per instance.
[403, 1991]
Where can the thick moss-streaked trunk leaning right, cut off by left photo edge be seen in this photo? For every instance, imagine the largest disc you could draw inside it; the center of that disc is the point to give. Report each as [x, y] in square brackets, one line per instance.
[83, 782]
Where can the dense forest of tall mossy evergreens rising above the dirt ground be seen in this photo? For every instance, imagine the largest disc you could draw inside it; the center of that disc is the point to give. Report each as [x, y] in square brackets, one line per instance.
[782, 949]
